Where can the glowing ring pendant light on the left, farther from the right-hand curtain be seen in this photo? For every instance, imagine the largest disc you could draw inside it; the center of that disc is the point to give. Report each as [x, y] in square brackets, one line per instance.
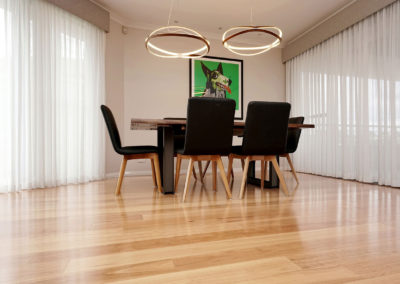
[170, 32]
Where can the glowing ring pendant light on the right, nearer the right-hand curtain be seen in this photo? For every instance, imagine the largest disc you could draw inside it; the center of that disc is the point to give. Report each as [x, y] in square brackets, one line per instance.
[251, 50]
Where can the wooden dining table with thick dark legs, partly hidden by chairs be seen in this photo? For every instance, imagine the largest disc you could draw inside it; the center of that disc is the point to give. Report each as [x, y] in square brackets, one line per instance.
[166, 128]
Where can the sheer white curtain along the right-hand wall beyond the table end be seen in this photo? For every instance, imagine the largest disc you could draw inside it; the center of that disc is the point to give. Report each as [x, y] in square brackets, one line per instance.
[349, 87]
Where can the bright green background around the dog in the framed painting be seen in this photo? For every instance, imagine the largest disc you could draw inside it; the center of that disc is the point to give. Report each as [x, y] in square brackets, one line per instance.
[230, 70]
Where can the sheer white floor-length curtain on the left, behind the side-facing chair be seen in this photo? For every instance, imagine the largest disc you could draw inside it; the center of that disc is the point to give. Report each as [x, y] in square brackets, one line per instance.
[51, 88]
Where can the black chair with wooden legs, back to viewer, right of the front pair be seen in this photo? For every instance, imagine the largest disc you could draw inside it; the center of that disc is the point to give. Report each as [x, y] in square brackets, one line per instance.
[264, 138]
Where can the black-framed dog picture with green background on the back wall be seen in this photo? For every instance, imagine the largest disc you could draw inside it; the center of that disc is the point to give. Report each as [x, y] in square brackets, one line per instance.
[219, 78]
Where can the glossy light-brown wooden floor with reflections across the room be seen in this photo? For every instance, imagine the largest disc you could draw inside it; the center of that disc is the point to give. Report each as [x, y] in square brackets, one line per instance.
[327, 231]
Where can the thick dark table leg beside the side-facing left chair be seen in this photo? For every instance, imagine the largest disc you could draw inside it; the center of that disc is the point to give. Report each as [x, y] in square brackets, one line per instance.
[166, 147]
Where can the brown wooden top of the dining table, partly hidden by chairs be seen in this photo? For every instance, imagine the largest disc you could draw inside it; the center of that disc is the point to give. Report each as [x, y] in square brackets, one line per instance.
[147, 124]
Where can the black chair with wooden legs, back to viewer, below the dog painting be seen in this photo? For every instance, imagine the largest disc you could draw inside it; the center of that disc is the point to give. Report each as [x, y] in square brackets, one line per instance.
[209, 130]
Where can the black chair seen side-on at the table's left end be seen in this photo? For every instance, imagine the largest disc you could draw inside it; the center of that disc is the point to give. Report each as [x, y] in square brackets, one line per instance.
[131, 152]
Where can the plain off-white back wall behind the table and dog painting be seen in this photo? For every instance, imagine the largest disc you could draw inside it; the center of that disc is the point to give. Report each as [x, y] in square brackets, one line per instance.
[155, 88]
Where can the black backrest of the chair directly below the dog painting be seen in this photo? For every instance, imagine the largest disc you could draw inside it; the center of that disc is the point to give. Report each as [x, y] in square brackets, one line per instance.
[209, 126]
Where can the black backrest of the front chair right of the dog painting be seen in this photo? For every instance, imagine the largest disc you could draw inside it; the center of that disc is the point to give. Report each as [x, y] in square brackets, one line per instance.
[266, 128]
